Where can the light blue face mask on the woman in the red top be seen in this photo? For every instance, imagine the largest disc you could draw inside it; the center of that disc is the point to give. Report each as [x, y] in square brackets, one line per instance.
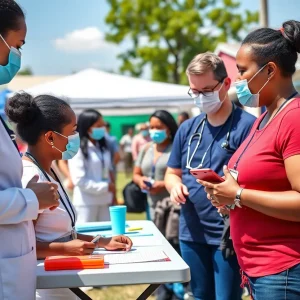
[246, 98]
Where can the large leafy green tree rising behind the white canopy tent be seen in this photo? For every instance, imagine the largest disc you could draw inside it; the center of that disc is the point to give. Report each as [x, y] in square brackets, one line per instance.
[166, 34]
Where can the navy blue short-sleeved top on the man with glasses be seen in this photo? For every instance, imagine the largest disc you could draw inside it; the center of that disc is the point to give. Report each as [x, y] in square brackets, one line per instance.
[199, 220]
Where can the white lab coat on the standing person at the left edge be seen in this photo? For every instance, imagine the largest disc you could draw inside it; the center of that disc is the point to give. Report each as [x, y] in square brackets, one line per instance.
[18, 207]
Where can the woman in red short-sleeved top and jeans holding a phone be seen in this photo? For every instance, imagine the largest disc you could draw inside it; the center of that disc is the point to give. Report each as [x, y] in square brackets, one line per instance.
[263, 177]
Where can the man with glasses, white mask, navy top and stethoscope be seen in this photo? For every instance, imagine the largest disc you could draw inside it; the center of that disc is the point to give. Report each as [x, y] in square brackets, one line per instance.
[206, 141]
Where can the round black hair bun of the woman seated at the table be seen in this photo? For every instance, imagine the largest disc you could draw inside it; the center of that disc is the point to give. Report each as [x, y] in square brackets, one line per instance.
[22, 109]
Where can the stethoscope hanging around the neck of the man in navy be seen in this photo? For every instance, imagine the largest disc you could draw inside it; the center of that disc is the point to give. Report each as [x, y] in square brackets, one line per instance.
[224, 145]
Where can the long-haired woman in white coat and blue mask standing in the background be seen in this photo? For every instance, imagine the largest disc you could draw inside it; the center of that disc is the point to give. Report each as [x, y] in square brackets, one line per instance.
[91, 170]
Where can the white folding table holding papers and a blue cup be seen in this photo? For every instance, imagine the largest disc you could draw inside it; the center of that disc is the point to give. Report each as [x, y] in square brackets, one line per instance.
[153, 273]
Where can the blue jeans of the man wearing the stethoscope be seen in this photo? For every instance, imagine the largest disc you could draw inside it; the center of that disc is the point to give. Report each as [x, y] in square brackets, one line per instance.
[213, 276]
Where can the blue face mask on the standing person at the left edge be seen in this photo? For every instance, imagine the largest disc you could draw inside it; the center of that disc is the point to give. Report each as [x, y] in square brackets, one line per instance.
[8, 72]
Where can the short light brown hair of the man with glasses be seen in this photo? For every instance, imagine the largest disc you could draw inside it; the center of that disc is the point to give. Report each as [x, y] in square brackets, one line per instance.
[205, 62]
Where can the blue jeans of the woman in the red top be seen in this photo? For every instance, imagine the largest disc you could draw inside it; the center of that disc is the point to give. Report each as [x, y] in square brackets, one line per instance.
[281, 286]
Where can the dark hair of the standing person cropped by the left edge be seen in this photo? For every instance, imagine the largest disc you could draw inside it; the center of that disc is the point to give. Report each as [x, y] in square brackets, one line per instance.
[10, 16]
